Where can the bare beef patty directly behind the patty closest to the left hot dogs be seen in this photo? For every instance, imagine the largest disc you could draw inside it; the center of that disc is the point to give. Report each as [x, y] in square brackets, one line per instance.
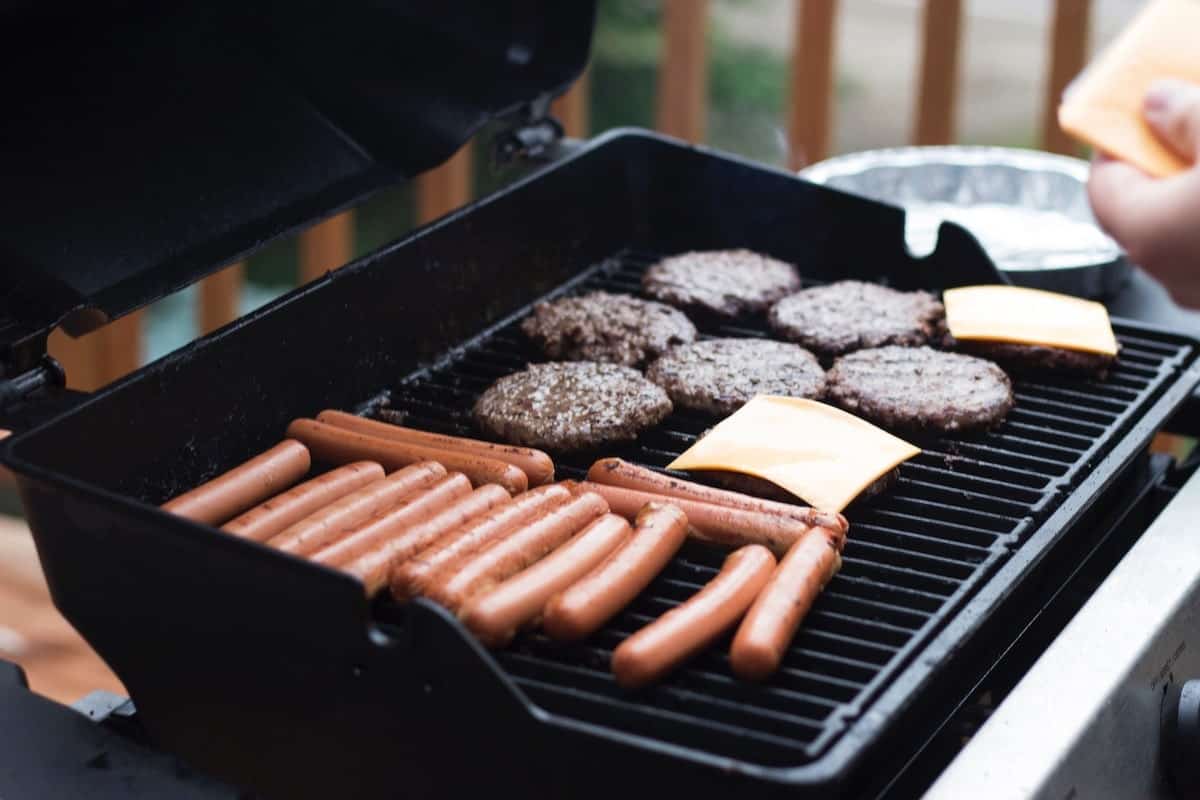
[602, 327]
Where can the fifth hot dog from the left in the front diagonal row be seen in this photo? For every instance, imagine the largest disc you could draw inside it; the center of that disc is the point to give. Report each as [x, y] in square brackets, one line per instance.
[373, 567]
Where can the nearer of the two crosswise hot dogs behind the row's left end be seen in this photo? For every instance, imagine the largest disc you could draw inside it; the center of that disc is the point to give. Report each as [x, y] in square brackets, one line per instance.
[338, 447]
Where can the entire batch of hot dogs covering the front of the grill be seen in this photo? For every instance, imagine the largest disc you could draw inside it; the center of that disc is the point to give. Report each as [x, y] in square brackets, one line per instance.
[454, 520]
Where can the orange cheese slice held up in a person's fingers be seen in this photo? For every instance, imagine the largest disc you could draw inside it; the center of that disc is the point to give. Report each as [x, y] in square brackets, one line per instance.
[1103, 107]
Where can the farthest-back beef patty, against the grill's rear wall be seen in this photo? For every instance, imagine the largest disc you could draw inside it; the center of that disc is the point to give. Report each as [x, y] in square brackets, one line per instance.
[725, 284]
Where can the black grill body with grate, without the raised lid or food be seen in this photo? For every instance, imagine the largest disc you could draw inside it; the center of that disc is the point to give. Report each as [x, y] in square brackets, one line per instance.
[277, 675]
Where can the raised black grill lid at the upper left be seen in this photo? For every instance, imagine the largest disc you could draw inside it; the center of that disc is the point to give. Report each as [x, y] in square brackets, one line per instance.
[146, 146]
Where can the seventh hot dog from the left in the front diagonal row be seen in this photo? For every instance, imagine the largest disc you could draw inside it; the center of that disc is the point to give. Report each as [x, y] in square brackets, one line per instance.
[507, 557]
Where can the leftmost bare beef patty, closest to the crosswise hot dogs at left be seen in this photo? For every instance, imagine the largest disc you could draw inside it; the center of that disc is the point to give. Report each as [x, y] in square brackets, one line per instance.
[571, 406]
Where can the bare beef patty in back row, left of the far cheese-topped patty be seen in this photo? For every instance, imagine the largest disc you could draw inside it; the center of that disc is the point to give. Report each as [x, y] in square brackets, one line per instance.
[855, 316]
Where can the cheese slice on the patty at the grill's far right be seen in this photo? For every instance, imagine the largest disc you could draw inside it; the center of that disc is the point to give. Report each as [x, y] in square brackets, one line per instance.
[1000, 314]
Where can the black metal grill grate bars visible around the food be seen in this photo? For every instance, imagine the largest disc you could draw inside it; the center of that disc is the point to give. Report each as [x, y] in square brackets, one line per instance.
[915, 554]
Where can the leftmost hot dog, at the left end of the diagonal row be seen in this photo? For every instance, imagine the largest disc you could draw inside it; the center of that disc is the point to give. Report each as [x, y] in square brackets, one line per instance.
[251, 483]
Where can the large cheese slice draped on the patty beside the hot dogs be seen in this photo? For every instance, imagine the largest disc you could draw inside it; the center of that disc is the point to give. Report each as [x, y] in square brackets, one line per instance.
[818, 453]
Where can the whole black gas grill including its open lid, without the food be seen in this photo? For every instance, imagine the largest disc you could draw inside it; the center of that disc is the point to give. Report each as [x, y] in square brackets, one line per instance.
[275, 673]
